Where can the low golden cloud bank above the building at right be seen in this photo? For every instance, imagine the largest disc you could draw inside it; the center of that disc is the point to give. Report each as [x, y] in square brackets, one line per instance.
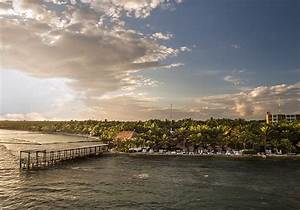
[255, 102]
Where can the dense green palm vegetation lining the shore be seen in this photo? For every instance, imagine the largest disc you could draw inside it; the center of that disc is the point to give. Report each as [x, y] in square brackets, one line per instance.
[191, 134]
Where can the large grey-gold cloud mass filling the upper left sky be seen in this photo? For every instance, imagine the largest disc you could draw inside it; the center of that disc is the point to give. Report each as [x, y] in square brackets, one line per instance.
[87, 45]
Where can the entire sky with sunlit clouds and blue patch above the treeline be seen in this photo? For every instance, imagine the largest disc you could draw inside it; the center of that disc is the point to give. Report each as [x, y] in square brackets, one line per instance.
[132, 59]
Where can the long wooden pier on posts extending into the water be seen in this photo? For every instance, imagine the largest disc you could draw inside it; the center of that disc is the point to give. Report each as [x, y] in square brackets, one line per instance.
[30, 159]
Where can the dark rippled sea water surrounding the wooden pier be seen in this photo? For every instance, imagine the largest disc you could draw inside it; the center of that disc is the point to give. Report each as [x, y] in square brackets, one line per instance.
[143, 182]
